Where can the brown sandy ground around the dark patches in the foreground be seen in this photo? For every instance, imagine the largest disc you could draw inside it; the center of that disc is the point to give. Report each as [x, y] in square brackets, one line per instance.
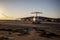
[53, 28]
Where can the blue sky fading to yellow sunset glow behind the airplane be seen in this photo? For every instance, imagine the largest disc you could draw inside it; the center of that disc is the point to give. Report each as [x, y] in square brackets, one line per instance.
[23, 8]
